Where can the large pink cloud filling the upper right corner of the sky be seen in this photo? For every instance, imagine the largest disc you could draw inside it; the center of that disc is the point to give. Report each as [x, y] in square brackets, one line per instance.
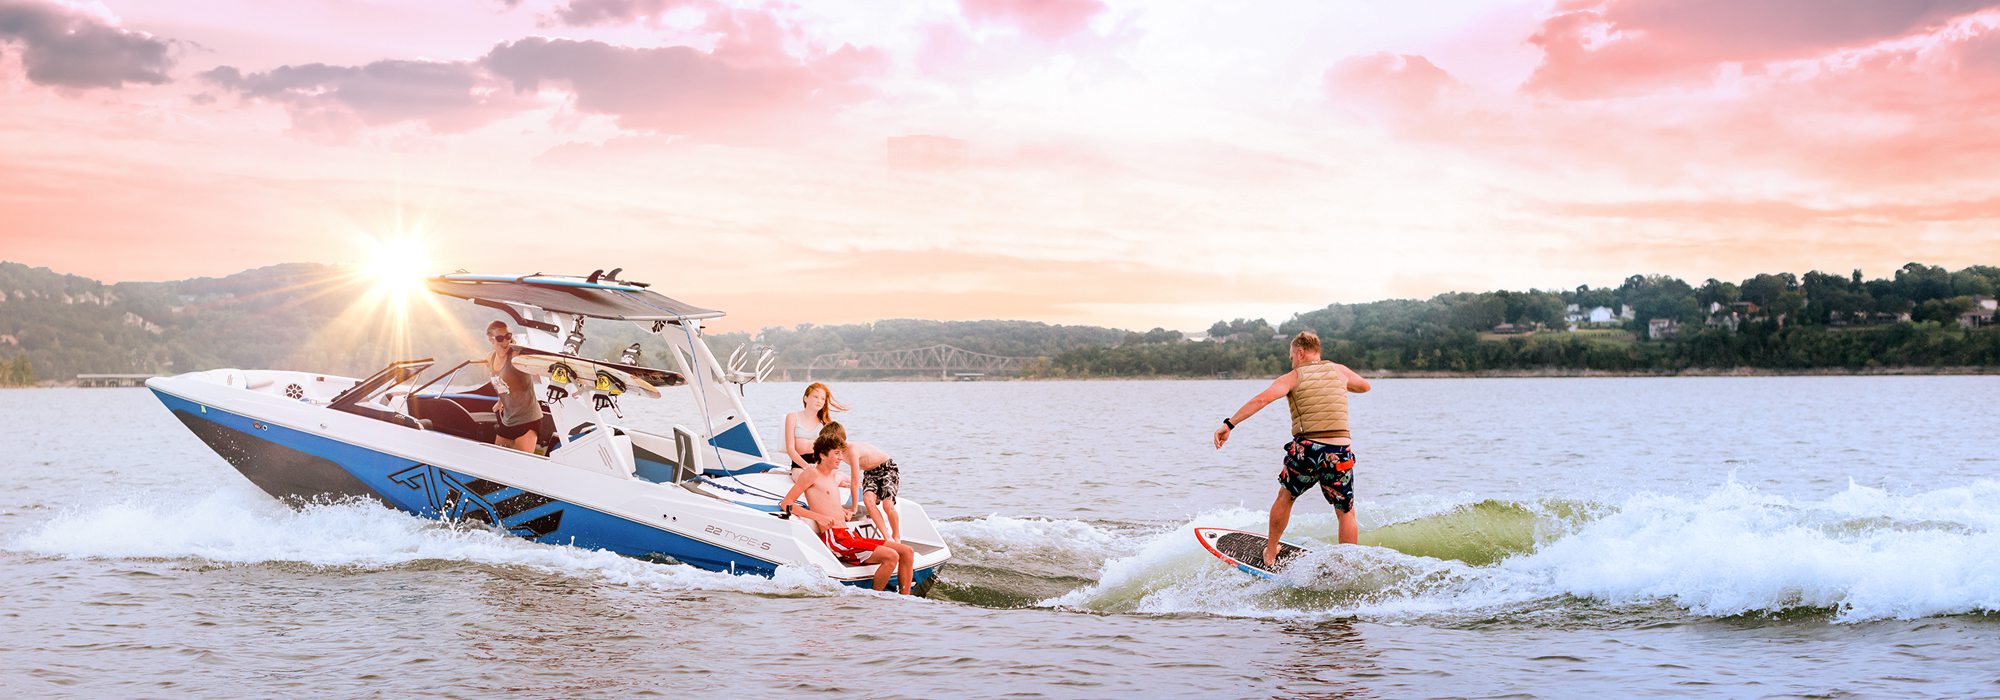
[1911, 117]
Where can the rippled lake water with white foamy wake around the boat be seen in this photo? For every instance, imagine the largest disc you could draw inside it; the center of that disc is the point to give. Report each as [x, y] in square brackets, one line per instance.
[1597, 537]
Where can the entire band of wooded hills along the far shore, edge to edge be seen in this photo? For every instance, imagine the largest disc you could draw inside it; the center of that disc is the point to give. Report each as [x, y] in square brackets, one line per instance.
[55, 327]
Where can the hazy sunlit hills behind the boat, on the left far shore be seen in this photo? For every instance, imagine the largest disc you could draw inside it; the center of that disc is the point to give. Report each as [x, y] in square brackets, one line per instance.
[313, 317]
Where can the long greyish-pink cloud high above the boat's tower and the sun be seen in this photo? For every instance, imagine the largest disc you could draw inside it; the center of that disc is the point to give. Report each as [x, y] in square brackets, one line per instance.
[749, 85]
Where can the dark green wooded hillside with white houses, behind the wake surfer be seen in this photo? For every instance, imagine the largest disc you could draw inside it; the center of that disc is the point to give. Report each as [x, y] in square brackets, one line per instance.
[1769, 321]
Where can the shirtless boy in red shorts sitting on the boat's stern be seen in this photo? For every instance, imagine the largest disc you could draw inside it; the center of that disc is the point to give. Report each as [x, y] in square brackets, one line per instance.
[821, 485]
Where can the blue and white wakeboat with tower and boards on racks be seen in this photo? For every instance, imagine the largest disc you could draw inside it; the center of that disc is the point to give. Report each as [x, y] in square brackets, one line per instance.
[421, 439]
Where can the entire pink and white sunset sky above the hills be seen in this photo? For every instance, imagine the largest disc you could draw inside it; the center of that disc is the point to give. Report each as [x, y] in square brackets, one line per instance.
[1067, 161]
